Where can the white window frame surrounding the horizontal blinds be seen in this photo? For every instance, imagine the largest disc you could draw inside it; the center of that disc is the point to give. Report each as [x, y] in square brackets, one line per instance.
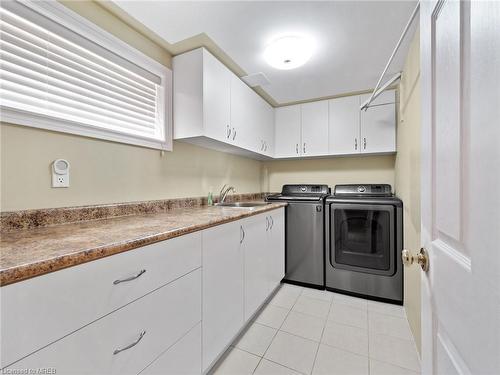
[66, 17]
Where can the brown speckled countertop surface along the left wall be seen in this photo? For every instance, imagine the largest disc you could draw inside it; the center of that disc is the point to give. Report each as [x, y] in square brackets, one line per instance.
[34, 252]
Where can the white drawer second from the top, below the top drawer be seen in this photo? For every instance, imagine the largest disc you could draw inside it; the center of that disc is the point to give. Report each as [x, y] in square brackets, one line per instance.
[164, 315]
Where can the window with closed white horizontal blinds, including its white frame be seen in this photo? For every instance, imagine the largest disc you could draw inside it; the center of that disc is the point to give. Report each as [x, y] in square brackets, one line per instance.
[51, 71]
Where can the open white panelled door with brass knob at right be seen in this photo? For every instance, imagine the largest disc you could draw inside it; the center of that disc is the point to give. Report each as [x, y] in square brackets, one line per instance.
[460, 70]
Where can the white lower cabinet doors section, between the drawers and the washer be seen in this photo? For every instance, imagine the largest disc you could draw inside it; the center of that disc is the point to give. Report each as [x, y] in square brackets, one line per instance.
[243, 262]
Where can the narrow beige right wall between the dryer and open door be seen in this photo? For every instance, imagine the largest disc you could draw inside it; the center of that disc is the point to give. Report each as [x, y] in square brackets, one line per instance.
[408, 177]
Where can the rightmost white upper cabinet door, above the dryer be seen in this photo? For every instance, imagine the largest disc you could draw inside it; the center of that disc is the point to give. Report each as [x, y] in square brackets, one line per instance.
[378, 129]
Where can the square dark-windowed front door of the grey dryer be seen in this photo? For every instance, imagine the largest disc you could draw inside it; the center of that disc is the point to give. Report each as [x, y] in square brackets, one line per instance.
[363, 238]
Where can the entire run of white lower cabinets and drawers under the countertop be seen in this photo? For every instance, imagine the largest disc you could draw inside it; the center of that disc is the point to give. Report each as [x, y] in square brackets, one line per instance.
[178, 317]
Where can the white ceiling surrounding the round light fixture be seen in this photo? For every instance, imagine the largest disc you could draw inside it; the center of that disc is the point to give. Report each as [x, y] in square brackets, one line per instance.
[354, 38]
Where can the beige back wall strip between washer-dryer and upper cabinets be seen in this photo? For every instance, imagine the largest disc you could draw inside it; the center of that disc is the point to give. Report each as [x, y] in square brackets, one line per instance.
[331, 171]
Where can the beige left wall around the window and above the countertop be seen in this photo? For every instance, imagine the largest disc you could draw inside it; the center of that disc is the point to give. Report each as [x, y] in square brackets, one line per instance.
[107, 172]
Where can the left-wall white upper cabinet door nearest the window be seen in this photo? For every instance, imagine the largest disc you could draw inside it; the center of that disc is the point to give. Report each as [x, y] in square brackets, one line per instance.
[216, 98]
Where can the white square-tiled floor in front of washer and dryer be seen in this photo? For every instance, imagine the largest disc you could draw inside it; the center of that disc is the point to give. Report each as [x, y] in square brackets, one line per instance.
[306, 331]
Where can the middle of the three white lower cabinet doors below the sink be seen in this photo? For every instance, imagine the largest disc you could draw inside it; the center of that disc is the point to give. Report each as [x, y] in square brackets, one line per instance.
[255, 249]
